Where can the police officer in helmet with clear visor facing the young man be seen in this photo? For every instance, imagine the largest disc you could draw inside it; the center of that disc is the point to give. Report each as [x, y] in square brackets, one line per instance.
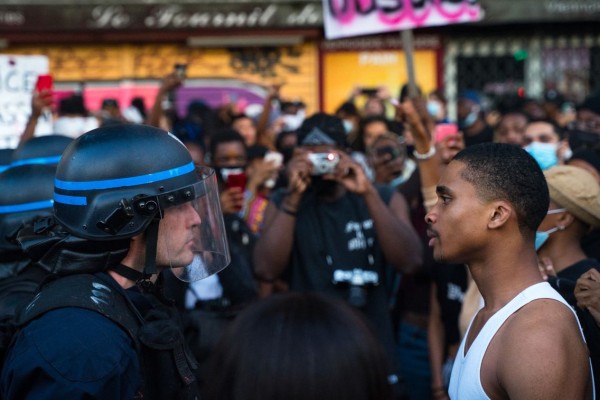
[128, 202]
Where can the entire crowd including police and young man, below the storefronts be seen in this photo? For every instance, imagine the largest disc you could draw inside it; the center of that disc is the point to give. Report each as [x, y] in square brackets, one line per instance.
[381, 251]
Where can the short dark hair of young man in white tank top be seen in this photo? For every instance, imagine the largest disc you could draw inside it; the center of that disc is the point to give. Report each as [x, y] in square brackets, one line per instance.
[506, 172]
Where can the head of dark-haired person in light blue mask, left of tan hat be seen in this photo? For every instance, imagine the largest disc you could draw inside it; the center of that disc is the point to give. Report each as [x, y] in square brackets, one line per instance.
[542, 140]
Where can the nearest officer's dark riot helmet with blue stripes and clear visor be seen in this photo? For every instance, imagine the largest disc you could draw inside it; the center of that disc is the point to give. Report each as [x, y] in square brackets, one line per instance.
[119, 181]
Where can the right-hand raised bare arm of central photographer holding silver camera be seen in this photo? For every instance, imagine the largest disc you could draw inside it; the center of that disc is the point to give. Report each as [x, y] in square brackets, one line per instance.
[397, 238]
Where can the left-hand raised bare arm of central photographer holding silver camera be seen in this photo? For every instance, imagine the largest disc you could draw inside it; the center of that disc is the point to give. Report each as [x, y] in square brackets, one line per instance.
[274, 247]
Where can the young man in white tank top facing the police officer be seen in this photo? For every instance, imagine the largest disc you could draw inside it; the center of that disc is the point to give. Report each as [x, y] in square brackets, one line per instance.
[525, 342]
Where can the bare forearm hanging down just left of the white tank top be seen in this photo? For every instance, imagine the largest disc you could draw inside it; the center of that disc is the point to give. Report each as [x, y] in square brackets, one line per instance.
[435, 341]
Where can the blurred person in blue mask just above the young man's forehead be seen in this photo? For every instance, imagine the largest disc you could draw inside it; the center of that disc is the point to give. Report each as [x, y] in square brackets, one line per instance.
[471, 119]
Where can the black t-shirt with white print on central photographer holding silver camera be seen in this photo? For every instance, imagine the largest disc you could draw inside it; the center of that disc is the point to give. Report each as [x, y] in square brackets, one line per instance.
[339, 235]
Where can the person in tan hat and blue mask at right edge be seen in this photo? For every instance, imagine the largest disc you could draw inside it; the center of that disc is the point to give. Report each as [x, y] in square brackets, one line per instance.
[574, 211]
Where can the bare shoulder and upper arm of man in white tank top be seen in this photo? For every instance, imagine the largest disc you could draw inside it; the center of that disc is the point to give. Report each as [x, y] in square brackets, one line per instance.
[541, 355]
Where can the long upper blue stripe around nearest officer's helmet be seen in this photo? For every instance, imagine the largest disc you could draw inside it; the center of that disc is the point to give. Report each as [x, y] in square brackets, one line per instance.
[122, 182]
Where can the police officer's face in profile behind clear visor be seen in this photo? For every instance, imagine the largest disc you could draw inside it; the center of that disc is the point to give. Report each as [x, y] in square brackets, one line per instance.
[177, 233]
